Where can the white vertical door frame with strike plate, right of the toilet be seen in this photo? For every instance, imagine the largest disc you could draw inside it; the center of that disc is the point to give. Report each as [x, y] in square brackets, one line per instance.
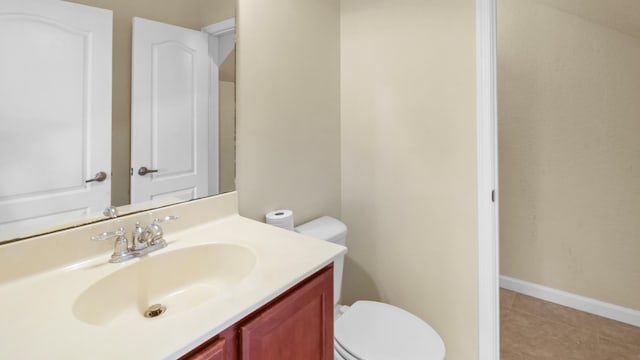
[487, 178]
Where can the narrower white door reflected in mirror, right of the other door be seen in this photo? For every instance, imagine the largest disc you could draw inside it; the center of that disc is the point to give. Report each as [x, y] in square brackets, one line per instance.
[169, 112]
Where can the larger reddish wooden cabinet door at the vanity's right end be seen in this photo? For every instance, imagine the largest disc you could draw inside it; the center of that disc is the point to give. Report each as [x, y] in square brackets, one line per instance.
[298, 326]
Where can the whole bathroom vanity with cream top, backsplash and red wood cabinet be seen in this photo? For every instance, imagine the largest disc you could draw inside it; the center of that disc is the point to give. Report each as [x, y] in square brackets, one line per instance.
[233, 288]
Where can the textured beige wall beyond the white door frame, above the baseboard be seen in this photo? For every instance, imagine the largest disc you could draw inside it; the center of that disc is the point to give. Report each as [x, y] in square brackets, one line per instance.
[569, 153]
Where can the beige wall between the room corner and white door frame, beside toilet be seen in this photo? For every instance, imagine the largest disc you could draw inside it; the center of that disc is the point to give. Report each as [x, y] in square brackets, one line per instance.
[409, 161]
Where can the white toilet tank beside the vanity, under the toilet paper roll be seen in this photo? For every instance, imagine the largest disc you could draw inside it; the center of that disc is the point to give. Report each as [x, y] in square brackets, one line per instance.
[333, 230]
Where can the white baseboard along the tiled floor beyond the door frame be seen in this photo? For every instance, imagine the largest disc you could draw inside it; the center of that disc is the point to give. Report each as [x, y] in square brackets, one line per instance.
[582, 303]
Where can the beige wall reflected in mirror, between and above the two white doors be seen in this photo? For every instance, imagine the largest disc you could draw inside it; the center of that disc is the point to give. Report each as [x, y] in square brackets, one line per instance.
[186, 13]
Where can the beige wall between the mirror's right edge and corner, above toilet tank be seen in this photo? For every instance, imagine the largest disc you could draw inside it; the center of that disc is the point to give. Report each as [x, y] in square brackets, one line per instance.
[288, 114]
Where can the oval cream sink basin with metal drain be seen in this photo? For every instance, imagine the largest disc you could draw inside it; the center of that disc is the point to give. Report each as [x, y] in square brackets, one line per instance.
[178, 280]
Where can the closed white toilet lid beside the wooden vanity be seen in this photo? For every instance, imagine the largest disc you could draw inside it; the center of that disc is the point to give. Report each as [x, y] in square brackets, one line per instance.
[371, 330]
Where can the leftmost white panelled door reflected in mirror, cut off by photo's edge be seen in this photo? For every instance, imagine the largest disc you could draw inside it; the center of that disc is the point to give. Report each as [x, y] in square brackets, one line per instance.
[55, 112]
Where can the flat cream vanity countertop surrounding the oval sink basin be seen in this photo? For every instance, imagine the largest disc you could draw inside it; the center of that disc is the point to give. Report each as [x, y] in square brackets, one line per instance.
[37, 320]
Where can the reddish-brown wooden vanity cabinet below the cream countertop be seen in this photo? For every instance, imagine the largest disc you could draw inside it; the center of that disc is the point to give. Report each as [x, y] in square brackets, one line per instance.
[296, 325]
